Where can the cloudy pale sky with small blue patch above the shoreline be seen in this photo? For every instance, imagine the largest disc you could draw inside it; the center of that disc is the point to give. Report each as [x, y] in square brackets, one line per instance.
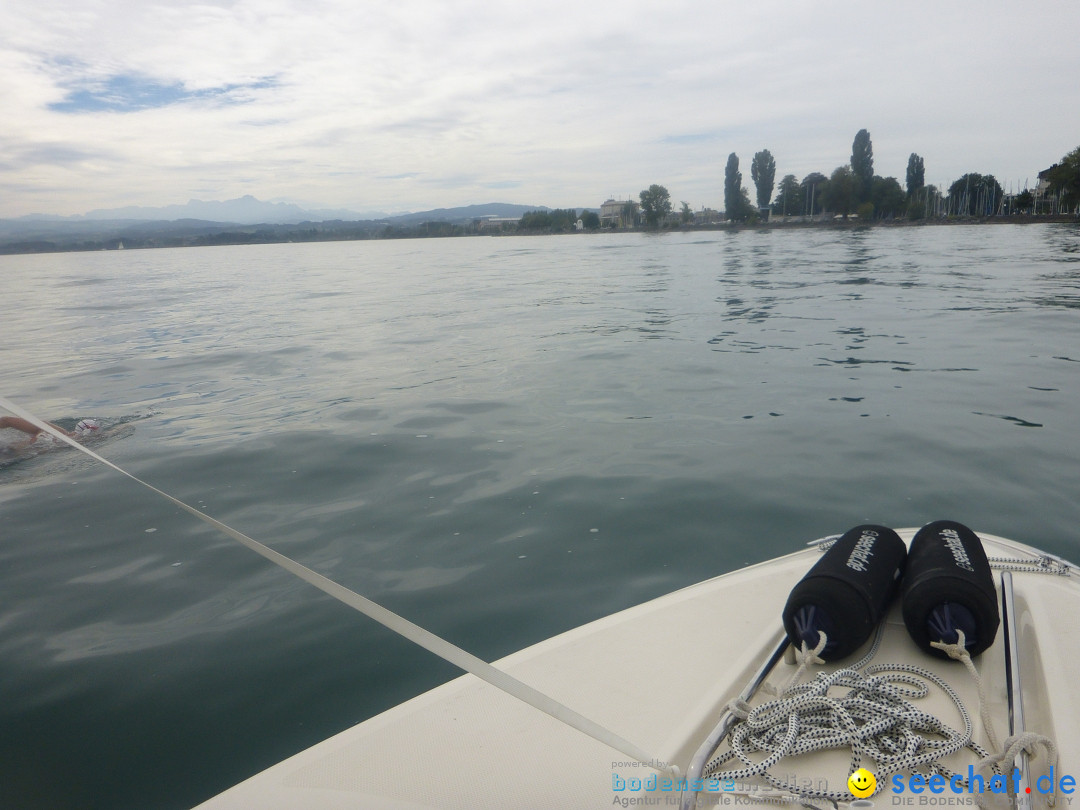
[418, 104]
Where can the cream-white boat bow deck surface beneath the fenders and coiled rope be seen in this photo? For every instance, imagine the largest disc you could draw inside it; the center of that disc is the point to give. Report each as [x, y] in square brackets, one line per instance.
[658, 674]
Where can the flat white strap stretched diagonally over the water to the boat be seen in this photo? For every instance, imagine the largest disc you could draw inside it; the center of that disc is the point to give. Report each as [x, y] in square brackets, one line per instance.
[389, 619]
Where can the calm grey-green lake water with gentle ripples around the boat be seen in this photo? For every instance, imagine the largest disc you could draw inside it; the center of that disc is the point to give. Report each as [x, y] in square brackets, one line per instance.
[501, 439]
